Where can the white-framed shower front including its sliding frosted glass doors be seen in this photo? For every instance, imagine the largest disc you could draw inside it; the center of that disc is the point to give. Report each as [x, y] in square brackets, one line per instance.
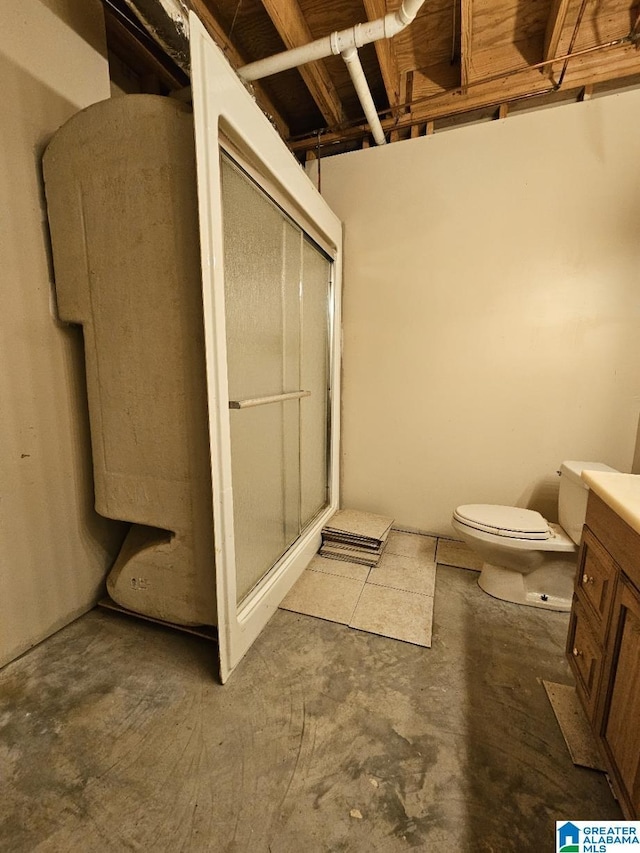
[271, 259]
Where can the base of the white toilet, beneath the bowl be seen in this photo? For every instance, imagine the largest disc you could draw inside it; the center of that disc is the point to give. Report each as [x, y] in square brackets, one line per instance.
[550, 587]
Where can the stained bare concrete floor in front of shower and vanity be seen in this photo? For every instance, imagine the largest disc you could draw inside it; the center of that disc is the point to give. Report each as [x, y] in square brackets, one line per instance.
[114, 736]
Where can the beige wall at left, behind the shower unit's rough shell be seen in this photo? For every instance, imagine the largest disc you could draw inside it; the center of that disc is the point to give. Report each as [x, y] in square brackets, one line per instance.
[54, 550]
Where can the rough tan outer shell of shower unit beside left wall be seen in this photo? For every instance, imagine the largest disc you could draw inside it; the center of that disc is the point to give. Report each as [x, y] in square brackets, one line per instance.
[121, 194]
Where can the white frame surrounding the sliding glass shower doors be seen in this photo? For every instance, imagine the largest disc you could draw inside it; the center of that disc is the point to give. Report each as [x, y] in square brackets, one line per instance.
[222, 106]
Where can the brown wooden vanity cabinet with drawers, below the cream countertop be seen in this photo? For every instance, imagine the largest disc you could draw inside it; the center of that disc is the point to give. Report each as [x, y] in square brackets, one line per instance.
[603, 645]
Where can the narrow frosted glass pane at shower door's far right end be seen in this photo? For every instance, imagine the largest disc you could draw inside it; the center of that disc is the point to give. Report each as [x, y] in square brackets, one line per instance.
[316, 279]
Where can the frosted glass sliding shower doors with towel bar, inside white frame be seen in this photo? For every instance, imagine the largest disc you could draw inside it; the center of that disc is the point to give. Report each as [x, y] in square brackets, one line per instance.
[277, 295]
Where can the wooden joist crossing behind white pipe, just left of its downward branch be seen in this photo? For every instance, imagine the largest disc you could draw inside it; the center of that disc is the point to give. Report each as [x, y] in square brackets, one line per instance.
[292, 27]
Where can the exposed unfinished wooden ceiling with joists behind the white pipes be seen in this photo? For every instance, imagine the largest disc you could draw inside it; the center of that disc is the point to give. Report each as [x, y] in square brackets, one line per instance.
[459, 60]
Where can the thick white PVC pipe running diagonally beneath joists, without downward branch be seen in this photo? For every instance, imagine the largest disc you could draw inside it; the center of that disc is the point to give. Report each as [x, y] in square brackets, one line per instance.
[337, 42]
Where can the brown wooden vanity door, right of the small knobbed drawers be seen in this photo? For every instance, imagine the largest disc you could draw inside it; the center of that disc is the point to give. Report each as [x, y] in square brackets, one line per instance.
[621, 721]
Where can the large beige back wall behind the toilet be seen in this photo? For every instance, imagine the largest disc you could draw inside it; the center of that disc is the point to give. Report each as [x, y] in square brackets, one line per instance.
[491, 309]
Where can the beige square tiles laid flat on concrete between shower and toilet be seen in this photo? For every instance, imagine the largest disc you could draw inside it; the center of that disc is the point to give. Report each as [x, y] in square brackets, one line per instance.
[394, 599]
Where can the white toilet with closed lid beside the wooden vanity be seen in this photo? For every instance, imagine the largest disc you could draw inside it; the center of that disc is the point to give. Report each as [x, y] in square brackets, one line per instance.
[528, 560]
